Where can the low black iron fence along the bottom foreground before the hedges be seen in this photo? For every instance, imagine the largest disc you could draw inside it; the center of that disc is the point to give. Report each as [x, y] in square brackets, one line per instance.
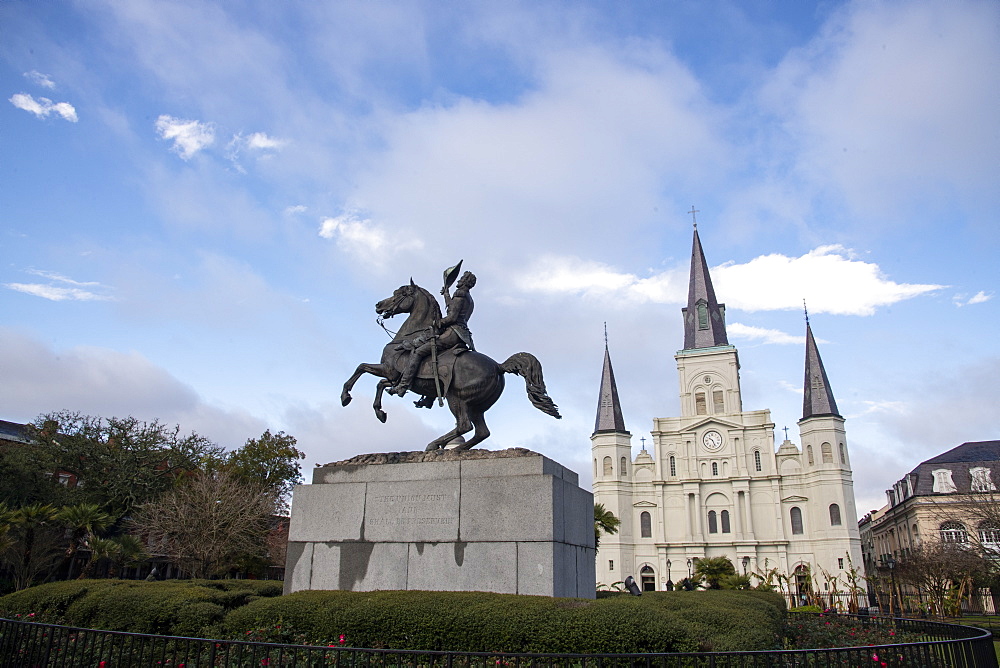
[32, 645]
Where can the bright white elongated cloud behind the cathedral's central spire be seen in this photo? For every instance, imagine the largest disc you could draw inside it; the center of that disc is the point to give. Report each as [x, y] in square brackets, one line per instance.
[829, 278]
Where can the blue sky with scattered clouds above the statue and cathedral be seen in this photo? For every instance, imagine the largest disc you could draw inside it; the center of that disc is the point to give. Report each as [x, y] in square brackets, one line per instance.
[200, 204]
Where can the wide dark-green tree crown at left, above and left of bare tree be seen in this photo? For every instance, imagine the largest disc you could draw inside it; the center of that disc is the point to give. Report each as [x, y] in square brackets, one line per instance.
[120, 462]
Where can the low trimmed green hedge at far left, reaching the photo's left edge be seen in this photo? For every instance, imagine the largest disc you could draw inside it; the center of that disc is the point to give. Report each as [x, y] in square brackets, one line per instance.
[169, 607]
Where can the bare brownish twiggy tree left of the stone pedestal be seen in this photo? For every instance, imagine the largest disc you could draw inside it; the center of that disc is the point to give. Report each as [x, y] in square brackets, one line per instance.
[209, 523]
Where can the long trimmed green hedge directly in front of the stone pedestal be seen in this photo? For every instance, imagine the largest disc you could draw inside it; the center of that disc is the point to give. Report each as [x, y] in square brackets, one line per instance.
[476, 621]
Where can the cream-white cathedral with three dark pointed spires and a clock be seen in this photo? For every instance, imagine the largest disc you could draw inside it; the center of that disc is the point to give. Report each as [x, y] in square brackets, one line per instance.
[713, 484]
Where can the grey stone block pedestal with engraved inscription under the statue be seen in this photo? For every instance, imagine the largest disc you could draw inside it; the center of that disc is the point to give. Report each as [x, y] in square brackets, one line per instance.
[512, 522]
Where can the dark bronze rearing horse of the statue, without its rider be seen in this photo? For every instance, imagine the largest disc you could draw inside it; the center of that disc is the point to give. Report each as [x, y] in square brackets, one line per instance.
[471, 382]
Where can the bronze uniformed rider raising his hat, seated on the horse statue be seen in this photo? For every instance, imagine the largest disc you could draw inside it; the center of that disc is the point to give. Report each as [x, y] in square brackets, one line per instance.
[451, 331]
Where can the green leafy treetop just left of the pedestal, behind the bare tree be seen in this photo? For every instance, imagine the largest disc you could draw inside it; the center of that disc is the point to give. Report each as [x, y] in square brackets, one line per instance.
[271, 462]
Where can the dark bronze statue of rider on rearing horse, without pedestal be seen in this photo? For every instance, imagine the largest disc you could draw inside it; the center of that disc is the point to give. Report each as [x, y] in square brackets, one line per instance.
[435, 357]
